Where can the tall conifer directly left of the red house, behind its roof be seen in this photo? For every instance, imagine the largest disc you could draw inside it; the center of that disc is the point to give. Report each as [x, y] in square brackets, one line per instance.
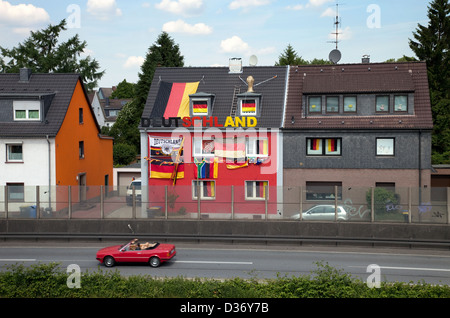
[163, 53]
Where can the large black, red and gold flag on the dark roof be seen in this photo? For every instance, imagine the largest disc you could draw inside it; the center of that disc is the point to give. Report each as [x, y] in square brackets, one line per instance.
[172, 99]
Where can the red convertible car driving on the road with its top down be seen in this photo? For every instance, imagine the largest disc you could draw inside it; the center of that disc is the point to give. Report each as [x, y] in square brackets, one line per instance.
[152, 253]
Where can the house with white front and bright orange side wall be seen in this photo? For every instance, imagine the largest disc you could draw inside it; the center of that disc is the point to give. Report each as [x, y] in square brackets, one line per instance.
[50, 138]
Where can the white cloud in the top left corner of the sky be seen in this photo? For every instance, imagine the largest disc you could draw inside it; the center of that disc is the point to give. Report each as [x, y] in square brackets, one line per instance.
[22, 15]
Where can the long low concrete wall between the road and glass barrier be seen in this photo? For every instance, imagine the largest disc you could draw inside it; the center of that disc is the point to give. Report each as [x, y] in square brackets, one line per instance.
[199, 229]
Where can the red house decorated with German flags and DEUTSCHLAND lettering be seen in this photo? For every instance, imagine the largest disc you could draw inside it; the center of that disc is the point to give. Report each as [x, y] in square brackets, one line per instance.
[211, 141]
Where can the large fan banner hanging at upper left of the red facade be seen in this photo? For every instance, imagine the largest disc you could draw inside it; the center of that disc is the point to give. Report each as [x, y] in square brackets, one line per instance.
[166, 158]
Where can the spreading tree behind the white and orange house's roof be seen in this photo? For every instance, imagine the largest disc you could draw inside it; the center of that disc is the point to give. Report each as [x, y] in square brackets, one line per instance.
[42, 53]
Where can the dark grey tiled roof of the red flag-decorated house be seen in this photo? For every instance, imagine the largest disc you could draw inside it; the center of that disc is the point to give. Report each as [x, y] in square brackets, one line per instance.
[218, 81]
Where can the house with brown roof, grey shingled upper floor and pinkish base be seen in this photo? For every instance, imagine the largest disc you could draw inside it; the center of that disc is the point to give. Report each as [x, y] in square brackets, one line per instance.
[354, 126]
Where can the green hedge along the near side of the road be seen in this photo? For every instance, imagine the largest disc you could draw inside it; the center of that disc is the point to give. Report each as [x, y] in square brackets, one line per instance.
[50, 281]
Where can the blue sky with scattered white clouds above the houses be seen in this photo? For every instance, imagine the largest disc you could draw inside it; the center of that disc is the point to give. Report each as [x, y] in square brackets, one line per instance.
[210, 32]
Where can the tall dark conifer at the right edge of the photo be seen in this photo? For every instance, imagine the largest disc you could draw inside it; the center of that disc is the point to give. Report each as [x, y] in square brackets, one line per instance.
[431, 44]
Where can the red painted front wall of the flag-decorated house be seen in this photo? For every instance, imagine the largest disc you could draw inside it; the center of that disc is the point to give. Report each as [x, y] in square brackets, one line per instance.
[226, 178]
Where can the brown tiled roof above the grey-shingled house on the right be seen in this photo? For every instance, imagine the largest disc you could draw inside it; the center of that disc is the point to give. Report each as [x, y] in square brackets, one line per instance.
[359, 78]
